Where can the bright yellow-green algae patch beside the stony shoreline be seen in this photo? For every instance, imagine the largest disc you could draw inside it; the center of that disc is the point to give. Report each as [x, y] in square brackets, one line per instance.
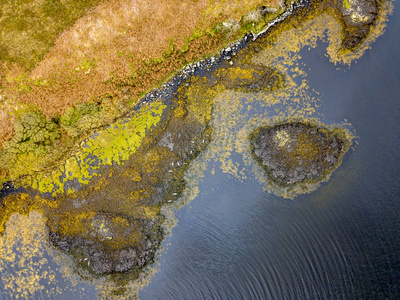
[107, 146]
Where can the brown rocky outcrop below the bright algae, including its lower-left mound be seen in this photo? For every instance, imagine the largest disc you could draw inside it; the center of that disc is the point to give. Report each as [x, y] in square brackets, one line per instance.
[114, 224]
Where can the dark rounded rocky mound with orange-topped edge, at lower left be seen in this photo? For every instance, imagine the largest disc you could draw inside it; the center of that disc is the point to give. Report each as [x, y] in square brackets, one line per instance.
[105, 243]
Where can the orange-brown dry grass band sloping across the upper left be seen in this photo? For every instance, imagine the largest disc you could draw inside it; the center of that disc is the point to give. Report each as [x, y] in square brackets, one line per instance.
[115, 38]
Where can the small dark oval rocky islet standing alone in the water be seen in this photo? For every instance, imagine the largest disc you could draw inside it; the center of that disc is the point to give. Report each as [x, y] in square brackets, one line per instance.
[294, 153]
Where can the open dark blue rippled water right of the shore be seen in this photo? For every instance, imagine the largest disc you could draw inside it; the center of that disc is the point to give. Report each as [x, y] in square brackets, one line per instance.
[235, 241]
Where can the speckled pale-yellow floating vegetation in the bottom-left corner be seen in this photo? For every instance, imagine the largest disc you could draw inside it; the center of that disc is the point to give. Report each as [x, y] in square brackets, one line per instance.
[28, 233]
